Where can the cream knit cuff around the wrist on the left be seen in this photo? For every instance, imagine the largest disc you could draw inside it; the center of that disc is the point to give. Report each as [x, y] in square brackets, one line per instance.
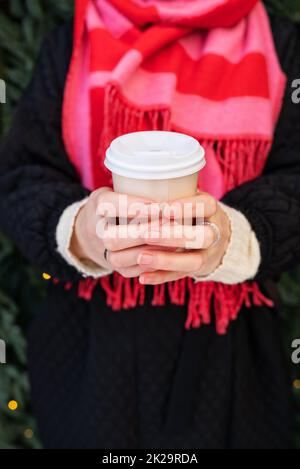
[64, 234]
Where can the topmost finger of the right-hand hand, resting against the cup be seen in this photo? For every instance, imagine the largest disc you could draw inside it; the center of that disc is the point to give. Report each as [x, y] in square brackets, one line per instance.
[200, 206]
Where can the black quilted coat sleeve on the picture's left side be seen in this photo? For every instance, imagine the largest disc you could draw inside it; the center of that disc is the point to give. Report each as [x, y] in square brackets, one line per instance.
[37, 181]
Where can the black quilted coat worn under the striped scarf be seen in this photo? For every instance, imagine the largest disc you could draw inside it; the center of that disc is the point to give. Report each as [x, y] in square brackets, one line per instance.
[137, 378]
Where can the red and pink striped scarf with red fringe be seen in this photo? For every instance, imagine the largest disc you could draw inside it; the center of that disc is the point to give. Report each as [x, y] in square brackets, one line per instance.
[207, 68]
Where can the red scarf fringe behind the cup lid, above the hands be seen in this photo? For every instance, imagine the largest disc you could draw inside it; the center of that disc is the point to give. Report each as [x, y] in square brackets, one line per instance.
[240, 159]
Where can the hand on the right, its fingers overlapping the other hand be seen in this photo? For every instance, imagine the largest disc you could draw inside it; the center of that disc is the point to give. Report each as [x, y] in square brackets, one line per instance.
[192, 250]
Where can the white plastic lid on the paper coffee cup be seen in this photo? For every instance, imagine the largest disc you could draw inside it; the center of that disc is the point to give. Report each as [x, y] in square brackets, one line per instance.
[155, 155]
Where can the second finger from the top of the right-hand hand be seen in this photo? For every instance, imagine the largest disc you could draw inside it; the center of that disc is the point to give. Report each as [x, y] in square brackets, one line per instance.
[181, 236]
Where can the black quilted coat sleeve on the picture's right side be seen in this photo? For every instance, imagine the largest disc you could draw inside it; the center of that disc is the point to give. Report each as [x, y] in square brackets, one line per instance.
[271, 203]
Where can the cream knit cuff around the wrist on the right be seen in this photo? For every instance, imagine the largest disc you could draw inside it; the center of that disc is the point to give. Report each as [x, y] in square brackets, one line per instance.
[242, 259]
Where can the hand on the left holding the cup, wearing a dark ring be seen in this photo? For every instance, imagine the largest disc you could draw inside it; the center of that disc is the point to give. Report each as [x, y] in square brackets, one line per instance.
[94, 233]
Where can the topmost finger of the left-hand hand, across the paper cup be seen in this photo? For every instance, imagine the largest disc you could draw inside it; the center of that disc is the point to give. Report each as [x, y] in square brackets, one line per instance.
[112, 205]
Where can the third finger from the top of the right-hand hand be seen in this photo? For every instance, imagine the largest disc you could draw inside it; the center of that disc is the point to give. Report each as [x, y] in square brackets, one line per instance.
[172, 261]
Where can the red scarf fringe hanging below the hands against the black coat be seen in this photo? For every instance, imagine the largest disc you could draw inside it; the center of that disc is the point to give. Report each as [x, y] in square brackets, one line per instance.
[207, 302]
